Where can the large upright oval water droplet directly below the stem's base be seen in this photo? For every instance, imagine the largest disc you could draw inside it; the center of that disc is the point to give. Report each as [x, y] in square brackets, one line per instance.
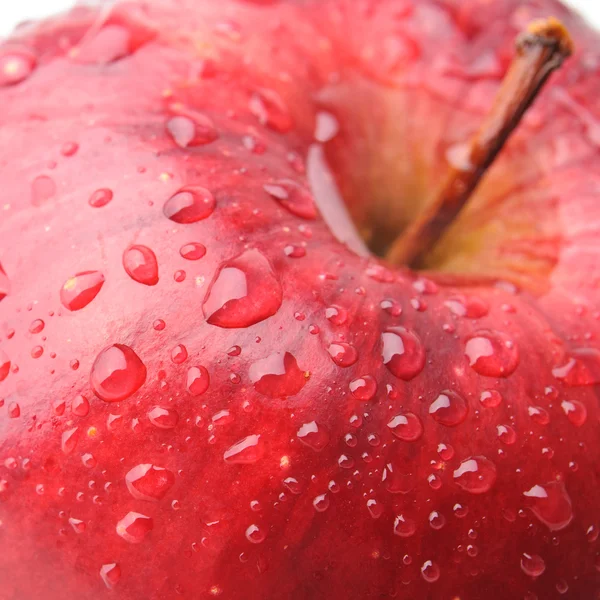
[403, 353]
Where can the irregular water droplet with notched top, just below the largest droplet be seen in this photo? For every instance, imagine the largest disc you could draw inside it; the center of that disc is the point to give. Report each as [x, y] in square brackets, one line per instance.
[277, 376]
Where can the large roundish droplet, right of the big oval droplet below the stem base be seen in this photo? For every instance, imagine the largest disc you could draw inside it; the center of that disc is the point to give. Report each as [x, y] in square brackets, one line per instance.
[492, 354]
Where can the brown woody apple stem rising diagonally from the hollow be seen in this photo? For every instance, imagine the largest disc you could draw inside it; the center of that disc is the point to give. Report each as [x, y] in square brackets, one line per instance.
[541, 50]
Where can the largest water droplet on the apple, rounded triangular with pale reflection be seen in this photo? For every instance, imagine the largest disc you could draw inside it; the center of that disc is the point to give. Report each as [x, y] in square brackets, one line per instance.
[245, 291]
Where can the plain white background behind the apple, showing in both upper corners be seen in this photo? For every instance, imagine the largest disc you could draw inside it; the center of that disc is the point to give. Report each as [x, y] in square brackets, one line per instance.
[11, 11]
